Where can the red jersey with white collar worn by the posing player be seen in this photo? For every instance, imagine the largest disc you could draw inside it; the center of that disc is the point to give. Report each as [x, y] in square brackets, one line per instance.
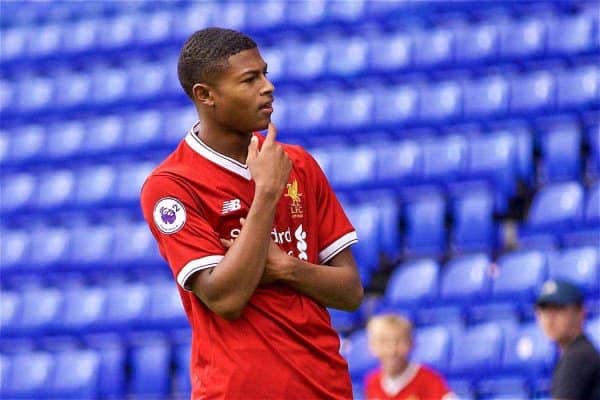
[283, 346]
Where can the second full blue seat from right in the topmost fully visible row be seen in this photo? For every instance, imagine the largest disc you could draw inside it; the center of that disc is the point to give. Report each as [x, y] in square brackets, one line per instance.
[523, 37]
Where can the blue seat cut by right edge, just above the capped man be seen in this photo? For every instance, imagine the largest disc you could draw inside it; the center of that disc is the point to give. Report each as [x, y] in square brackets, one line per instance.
[580, 265]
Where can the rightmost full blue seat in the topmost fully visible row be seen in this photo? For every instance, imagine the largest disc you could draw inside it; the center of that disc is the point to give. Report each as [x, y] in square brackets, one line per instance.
[580, 29]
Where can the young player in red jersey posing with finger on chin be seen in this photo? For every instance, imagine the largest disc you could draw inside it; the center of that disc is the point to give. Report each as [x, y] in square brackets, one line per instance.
[254, 293]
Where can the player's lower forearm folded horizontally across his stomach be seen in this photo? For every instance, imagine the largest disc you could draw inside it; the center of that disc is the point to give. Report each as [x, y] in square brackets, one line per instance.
[332, 286]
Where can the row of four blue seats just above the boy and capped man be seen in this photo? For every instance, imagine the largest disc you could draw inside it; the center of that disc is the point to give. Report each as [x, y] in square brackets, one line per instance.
[515, 276]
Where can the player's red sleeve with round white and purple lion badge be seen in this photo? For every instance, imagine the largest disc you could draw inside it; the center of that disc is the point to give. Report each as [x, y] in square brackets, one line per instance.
[185, 239]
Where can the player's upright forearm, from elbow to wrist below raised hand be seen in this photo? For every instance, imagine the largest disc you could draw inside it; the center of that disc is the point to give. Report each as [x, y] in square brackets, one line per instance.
[235, 279]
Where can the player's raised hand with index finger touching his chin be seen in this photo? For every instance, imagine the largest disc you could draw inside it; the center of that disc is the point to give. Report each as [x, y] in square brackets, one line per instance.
[270, 166]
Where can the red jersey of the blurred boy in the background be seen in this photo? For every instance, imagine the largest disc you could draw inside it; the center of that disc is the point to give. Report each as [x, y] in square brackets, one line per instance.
[417, 382]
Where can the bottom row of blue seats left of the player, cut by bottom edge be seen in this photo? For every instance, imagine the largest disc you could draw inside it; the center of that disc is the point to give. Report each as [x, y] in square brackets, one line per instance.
[143, 366]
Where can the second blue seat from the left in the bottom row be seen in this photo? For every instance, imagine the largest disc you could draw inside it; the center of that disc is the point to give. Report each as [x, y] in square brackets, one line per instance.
[76, 374]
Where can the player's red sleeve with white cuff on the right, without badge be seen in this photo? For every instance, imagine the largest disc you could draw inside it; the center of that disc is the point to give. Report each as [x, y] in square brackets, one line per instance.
[335, 230]
